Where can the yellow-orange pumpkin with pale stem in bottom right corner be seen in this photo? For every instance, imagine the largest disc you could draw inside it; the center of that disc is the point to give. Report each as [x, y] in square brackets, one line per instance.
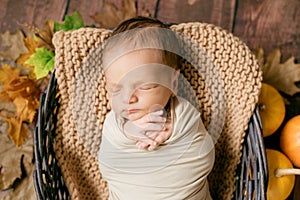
[279, 188]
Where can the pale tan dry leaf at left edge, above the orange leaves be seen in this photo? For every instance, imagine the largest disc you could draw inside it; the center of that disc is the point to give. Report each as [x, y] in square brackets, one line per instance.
[13, 44]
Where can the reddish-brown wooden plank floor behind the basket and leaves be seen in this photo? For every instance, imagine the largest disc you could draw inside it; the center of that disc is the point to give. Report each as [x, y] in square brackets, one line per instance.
[262, 23]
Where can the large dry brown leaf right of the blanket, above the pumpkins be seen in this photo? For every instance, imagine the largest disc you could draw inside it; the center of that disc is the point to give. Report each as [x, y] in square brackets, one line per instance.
[282, 76]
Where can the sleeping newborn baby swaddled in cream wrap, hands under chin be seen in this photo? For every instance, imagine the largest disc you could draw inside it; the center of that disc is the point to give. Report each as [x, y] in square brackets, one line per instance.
[154, 144]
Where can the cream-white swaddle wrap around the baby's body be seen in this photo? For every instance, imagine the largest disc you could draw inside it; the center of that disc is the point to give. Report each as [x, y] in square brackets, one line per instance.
[177, 169]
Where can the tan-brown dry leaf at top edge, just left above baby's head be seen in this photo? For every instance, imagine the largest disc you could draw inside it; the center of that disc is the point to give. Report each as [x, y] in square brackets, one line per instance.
[110, 16]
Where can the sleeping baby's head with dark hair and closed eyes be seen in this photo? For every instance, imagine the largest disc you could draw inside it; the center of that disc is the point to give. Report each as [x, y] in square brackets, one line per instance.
[140, 67]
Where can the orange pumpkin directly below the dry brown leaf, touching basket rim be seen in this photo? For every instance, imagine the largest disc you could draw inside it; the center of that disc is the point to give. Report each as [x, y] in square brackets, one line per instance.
[271, 109]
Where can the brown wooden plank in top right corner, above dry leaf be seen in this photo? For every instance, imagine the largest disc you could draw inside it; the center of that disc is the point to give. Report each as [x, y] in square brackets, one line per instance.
[270, 24]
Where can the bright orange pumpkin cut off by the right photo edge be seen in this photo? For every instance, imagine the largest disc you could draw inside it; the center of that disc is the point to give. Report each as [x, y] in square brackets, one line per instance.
[290, 140]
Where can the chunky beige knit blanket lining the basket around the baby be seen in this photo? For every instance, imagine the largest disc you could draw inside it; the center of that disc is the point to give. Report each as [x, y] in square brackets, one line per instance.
[235, 75]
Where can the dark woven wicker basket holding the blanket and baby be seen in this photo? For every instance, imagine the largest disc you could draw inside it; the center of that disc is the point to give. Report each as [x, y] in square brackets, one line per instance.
[251, 173]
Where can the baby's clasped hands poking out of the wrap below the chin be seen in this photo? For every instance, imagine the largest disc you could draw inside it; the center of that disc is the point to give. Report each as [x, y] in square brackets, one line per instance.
[149, 131]
